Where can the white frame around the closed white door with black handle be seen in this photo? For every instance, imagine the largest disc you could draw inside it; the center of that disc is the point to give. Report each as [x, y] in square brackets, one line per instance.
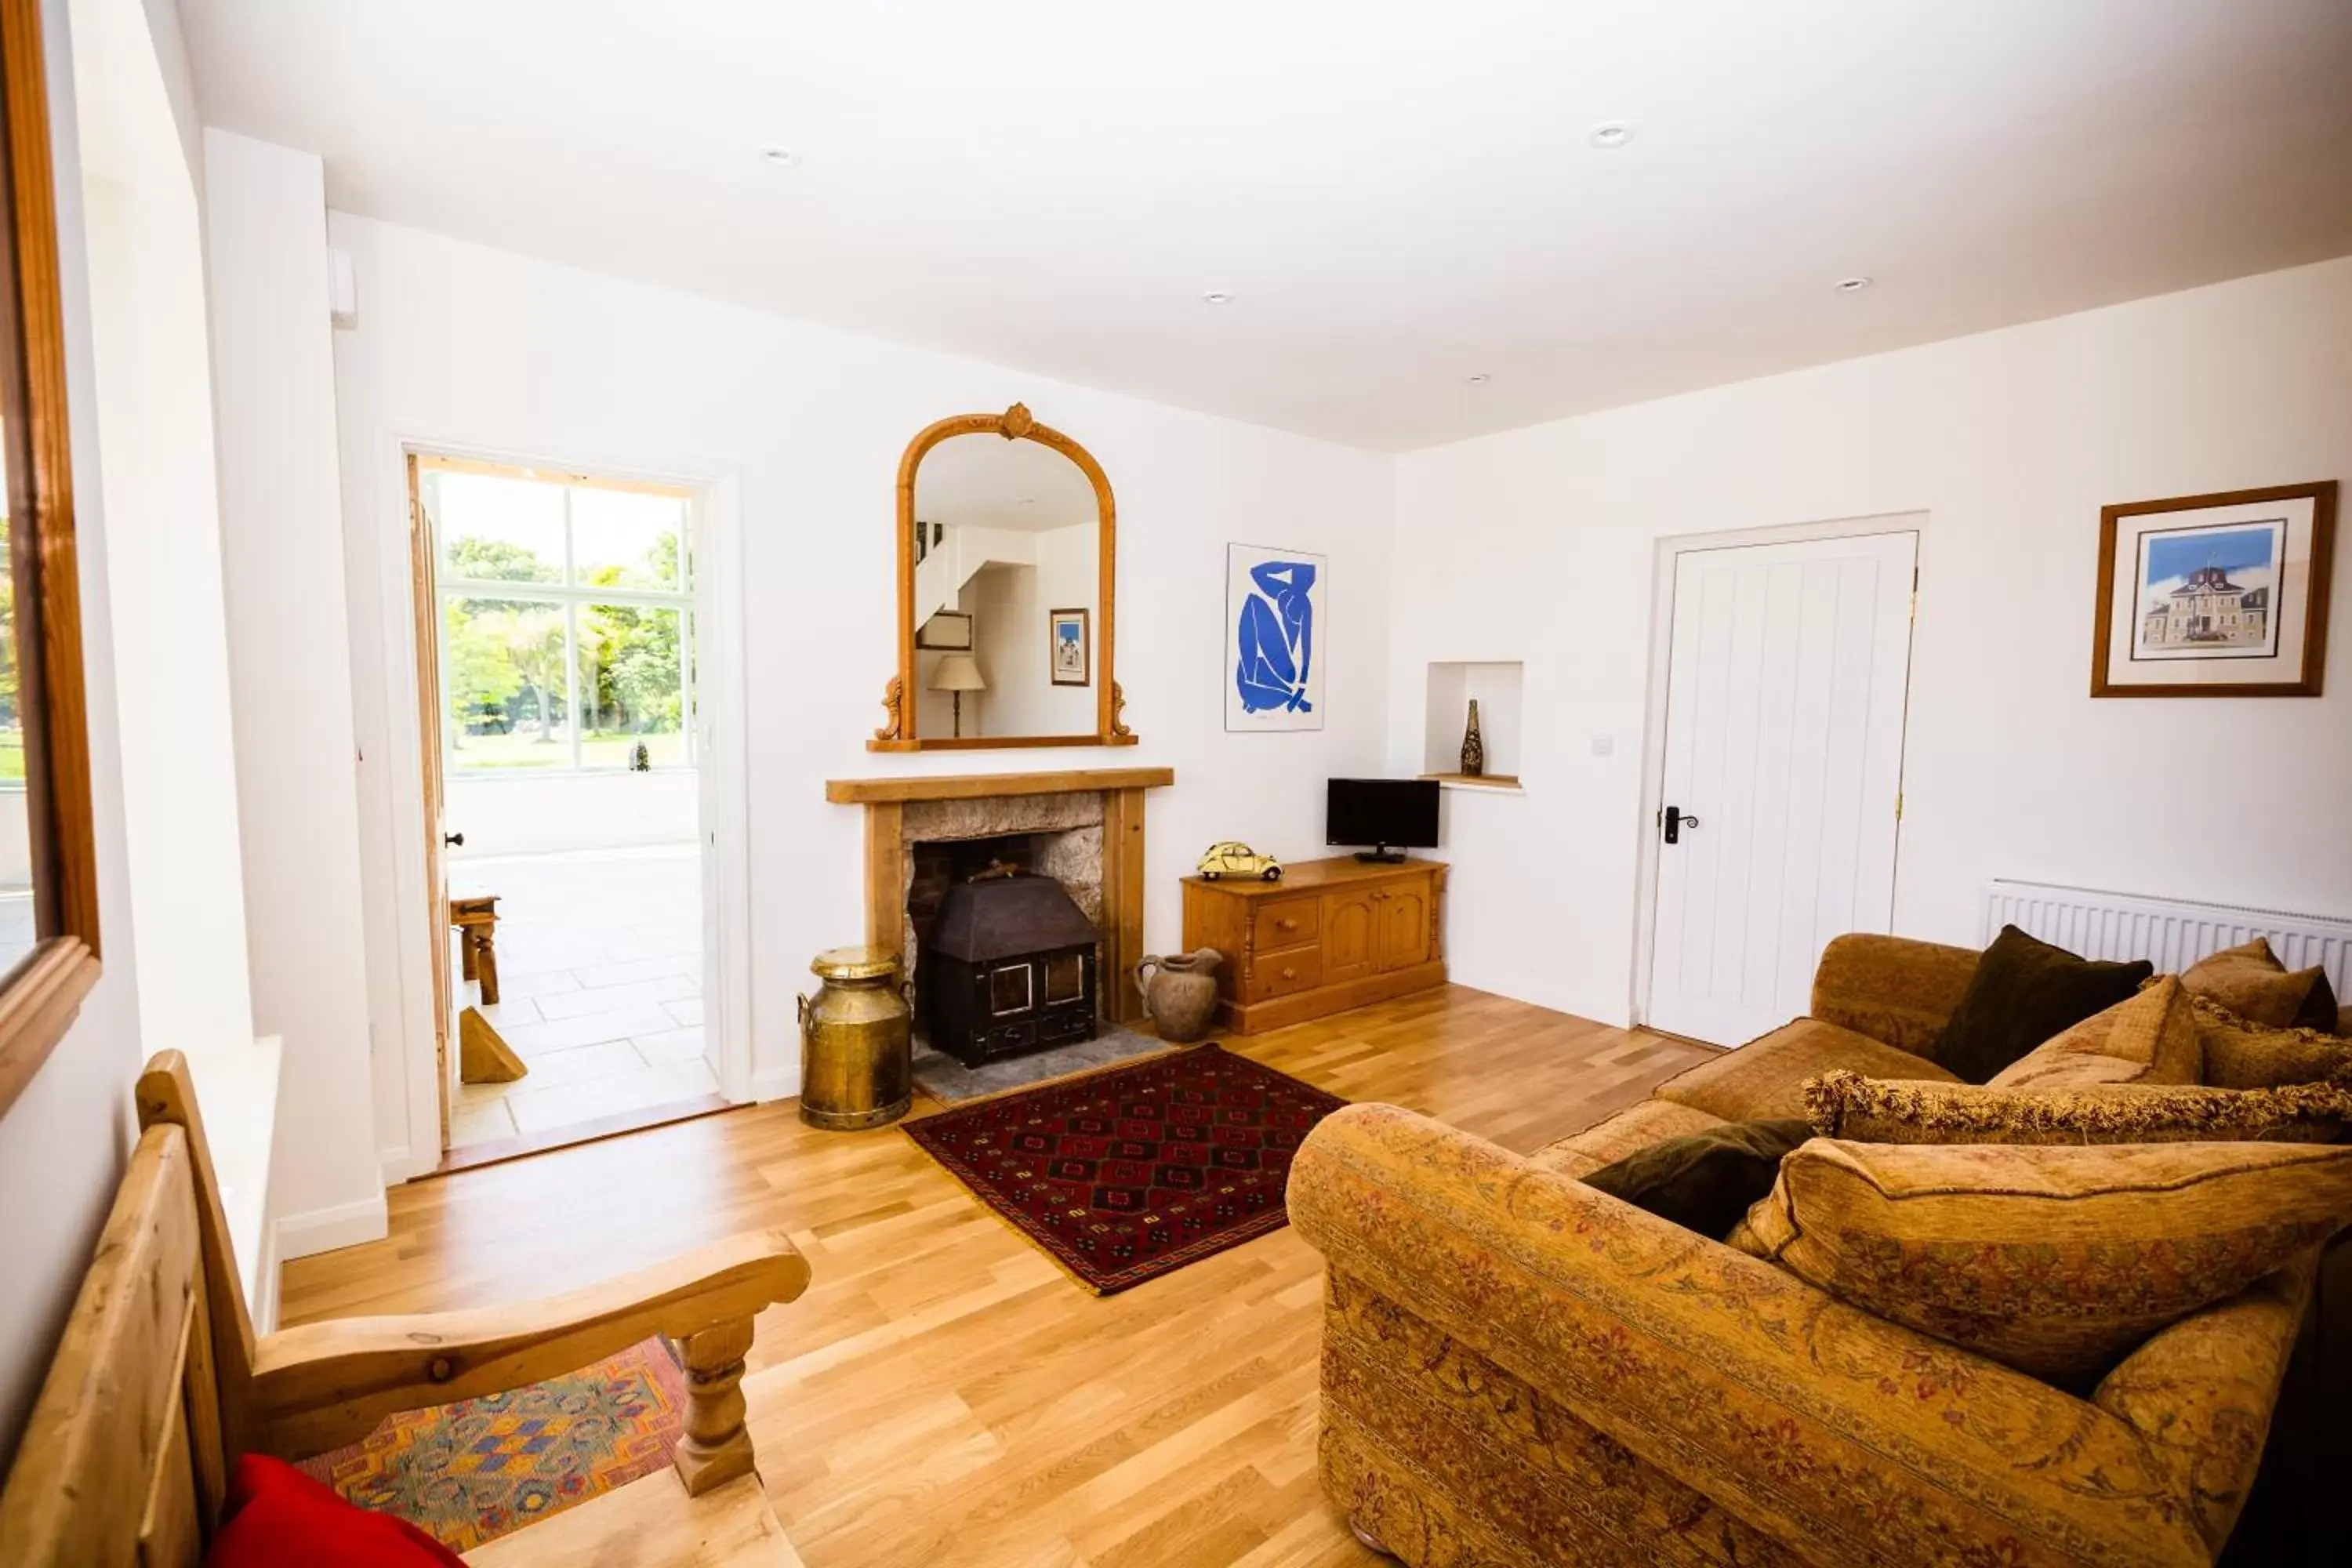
[1662, 655]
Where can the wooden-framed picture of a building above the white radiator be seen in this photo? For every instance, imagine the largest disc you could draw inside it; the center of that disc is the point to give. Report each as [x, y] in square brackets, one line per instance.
[2214, 596]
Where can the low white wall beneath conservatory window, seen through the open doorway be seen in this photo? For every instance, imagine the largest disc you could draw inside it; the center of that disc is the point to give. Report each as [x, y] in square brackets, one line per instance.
[533, 817]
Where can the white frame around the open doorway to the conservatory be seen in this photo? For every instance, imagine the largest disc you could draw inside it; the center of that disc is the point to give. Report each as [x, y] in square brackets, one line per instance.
[723, 791]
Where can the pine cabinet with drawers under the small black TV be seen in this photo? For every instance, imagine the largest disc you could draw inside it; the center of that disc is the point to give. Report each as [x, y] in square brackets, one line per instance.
[1330, 937]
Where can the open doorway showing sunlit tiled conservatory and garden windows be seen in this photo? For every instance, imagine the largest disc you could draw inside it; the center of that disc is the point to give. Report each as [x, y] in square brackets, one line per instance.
[556, 657]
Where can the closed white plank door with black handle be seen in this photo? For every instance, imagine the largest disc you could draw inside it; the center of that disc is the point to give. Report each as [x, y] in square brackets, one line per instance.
[1784, 770]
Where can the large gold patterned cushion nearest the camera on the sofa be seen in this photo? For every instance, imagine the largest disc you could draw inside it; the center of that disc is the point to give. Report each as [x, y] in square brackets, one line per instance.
[2052, 1261]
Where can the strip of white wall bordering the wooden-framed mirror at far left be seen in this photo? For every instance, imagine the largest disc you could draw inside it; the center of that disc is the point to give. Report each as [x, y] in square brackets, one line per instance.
[65, 1141]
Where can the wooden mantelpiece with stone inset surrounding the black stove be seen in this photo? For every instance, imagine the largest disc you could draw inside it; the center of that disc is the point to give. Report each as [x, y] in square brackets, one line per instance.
[1090, 838]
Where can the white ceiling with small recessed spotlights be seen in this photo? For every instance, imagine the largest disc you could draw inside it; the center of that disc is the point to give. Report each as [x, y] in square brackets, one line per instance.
[1398, 196]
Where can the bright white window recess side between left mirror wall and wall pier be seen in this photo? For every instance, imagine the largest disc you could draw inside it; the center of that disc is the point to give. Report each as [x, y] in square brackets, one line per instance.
[154, 380]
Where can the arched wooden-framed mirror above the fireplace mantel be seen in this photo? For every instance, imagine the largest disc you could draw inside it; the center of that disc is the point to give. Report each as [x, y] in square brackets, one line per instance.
[1008, 572]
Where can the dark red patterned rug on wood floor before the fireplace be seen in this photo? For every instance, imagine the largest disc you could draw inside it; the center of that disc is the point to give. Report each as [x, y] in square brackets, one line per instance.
[1137, 1172]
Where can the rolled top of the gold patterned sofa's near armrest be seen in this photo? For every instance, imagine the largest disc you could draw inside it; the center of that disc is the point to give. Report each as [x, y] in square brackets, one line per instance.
[1800, 1416]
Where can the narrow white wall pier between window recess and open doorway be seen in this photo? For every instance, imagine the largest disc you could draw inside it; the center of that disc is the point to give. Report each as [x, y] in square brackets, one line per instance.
[290, 666]
